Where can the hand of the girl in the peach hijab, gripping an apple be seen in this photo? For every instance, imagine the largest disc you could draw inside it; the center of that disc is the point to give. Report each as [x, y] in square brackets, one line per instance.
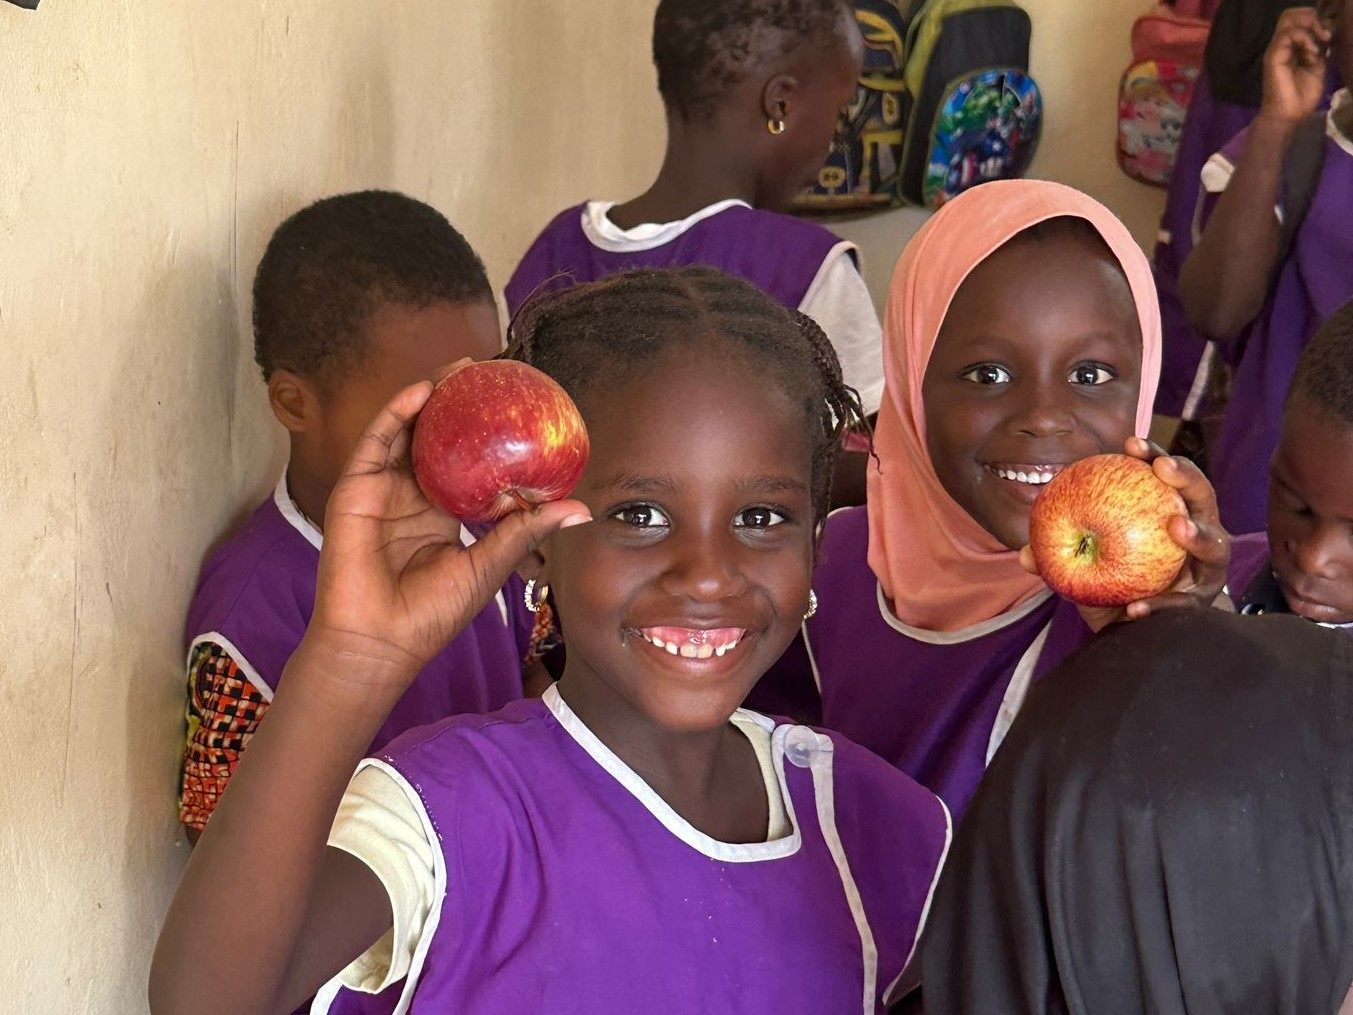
[1201, 535]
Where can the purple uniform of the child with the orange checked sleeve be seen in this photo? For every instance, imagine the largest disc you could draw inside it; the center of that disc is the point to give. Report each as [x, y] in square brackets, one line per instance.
[258, 592]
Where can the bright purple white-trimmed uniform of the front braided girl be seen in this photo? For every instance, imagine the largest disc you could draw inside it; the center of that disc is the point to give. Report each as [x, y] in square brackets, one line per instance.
[569, 886]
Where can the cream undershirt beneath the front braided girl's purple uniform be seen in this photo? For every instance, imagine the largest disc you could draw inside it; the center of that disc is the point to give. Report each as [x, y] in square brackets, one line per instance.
[381, 826]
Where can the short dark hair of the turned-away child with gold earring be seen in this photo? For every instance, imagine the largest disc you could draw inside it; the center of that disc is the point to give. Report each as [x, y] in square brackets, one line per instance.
[703, 48]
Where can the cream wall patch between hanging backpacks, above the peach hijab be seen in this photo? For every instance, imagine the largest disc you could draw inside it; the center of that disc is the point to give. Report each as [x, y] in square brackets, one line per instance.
[1079, 52]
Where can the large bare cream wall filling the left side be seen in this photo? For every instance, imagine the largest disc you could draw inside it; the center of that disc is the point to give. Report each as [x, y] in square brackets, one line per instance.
[147, 152]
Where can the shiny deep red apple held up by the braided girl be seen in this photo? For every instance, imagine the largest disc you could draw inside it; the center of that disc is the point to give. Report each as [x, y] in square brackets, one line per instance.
[499, 436]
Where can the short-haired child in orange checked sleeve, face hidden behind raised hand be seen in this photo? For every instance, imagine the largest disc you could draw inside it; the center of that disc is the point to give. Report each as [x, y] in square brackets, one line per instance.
[357, 298]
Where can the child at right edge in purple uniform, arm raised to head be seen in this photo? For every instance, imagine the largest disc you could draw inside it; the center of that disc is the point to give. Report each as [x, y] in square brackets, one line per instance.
[1260, 286]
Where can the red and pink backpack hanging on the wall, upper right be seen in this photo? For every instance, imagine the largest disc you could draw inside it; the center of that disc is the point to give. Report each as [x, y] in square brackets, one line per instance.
[1156, 91]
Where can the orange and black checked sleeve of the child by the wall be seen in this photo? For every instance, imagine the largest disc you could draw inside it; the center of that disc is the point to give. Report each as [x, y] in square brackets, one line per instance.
[224, 711]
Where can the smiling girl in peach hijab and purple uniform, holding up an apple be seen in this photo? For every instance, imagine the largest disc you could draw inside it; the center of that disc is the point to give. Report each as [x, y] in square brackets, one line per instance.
[1022, 335]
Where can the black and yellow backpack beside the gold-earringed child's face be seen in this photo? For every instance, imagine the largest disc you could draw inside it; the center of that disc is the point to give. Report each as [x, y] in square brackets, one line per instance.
[863, 170]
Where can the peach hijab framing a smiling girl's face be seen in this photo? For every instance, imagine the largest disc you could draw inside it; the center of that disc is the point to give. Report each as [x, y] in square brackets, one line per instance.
[938, 568]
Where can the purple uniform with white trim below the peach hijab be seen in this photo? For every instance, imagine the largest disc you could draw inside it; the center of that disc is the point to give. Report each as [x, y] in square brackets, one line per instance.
[934, 704]
